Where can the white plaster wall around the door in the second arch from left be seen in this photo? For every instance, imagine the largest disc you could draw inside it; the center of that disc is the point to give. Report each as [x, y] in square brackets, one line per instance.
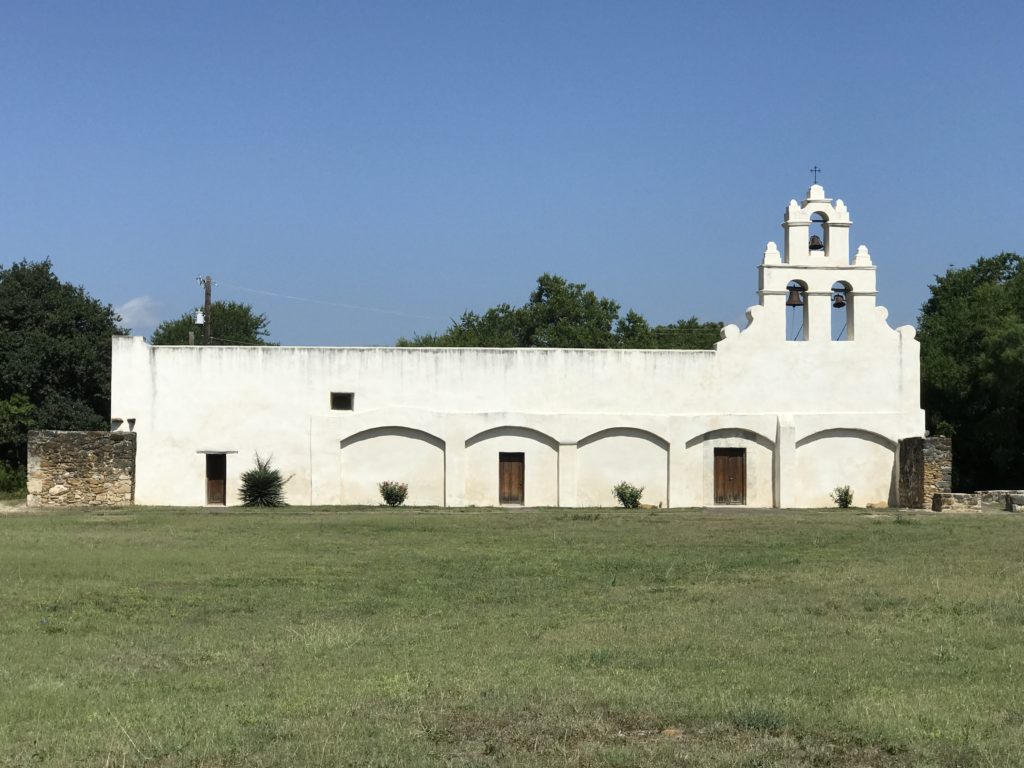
[541, 471]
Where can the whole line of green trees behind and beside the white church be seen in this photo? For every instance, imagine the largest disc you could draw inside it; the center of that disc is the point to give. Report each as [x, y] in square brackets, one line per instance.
[56, 354]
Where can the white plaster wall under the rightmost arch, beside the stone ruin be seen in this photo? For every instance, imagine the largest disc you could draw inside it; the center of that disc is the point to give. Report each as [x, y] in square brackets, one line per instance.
[844, 457]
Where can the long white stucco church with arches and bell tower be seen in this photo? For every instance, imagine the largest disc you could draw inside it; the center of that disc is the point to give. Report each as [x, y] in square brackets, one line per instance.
[815, 394]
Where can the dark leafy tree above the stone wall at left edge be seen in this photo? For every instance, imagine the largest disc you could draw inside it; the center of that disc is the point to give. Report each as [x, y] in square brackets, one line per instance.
[55, 357]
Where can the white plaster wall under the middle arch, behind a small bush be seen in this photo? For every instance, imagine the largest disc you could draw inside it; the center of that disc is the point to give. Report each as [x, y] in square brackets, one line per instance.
[622, 455]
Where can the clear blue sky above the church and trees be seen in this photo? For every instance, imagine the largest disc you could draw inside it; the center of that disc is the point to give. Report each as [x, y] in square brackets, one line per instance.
[393, 164]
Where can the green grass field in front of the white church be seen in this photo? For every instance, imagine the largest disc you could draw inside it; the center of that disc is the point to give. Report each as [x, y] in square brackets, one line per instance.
[490, 638]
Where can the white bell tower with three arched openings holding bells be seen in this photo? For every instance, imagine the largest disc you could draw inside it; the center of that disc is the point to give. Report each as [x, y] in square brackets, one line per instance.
[815, 275]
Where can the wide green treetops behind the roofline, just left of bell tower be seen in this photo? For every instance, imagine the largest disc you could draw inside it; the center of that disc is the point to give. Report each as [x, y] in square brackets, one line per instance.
[561, 314]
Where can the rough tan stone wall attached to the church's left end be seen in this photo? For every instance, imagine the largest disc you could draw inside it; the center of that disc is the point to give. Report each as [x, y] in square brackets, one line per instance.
[68, 470]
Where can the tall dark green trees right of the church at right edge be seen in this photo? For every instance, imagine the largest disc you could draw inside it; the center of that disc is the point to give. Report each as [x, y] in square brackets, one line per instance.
[972, 369]
